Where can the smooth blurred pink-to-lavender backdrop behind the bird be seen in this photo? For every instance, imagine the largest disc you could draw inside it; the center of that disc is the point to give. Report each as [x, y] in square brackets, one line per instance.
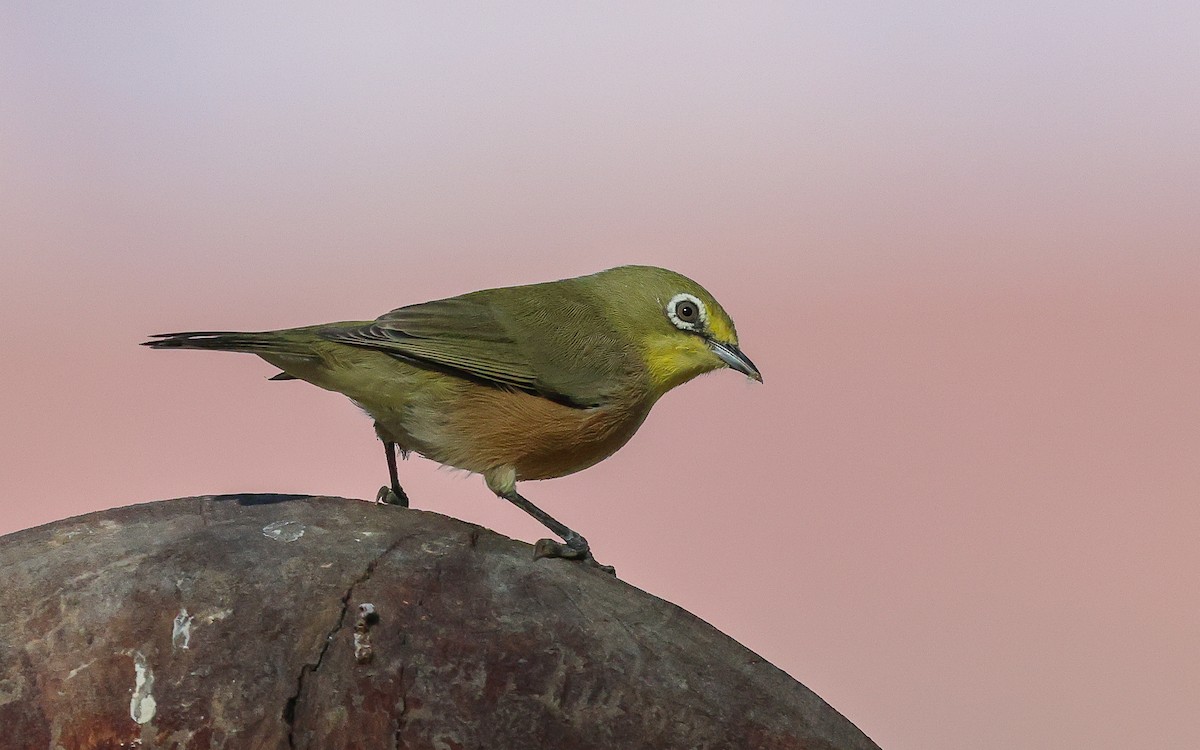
[962, 241]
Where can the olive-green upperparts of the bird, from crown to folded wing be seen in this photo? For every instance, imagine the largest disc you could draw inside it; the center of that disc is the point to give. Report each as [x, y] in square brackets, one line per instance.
[575, 341]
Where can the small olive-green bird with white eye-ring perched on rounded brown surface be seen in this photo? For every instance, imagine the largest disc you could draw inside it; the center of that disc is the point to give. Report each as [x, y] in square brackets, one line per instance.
[514, 383]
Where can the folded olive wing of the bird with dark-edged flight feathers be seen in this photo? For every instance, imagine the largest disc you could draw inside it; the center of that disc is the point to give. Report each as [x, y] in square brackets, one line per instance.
[461, 335]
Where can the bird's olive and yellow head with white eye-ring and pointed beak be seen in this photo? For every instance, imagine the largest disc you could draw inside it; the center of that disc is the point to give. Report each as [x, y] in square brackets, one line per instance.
[677, 327]
